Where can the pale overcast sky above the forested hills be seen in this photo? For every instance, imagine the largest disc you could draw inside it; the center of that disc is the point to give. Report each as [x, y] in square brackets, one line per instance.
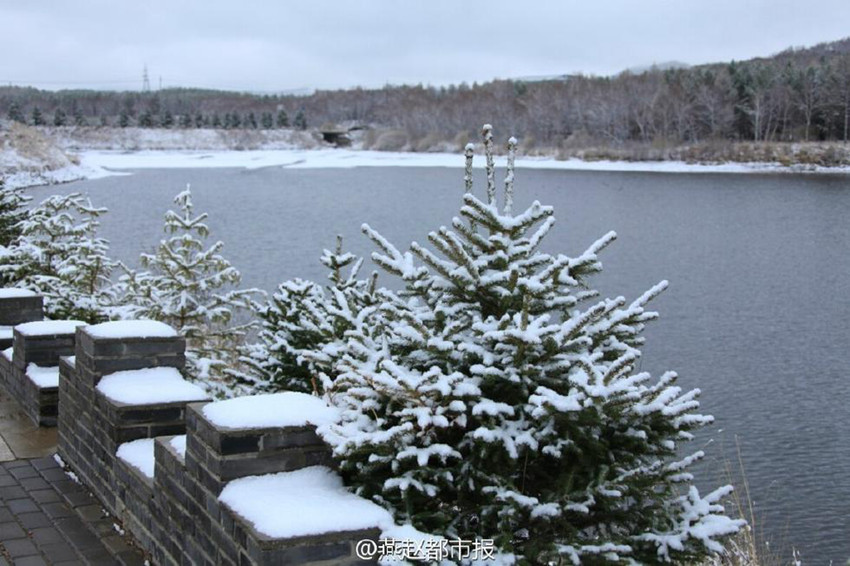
[276, 45]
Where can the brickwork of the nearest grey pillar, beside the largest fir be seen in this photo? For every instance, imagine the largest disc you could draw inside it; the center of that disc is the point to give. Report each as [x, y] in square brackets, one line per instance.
[216, 455]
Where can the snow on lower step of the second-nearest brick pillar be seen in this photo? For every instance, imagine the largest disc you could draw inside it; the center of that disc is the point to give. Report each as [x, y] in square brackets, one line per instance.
[149, 386]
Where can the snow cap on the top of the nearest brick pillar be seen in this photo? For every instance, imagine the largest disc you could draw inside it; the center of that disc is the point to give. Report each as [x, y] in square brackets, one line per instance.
[272, 410]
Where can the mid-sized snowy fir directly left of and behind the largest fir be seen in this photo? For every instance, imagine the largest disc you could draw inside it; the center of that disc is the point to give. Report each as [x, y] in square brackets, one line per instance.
[304, 326]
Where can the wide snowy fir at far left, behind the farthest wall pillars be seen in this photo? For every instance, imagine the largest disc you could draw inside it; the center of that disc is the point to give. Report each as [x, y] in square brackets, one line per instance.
[58, 254]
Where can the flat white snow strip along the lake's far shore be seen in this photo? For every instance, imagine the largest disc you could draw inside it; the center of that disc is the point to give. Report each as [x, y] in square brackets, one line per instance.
[94, 164]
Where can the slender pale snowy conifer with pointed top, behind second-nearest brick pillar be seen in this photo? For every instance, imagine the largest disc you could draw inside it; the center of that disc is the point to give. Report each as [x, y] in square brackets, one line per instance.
[192, 288]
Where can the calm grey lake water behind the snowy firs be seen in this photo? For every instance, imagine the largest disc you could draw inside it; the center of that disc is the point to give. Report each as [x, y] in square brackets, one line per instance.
[757, 314]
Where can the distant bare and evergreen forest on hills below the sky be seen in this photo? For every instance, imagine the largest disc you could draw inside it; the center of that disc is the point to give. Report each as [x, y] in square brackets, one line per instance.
[800, 94]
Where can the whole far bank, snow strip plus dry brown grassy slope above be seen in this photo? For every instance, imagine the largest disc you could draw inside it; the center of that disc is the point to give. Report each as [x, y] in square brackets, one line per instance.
[42, 156]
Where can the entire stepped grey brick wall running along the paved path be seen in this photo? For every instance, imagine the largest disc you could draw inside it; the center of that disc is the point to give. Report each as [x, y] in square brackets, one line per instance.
[175, 514]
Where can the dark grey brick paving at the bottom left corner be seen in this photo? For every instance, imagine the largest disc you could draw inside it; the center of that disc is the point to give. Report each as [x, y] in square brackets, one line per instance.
[46, 518]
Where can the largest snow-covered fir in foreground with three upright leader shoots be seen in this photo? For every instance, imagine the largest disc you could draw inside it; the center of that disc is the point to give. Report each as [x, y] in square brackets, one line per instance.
[497, 397]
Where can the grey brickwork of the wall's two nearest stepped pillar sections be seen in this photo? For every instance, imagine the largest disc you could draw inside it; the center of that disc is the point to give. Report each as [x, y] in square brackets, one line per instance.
[176, 515]
